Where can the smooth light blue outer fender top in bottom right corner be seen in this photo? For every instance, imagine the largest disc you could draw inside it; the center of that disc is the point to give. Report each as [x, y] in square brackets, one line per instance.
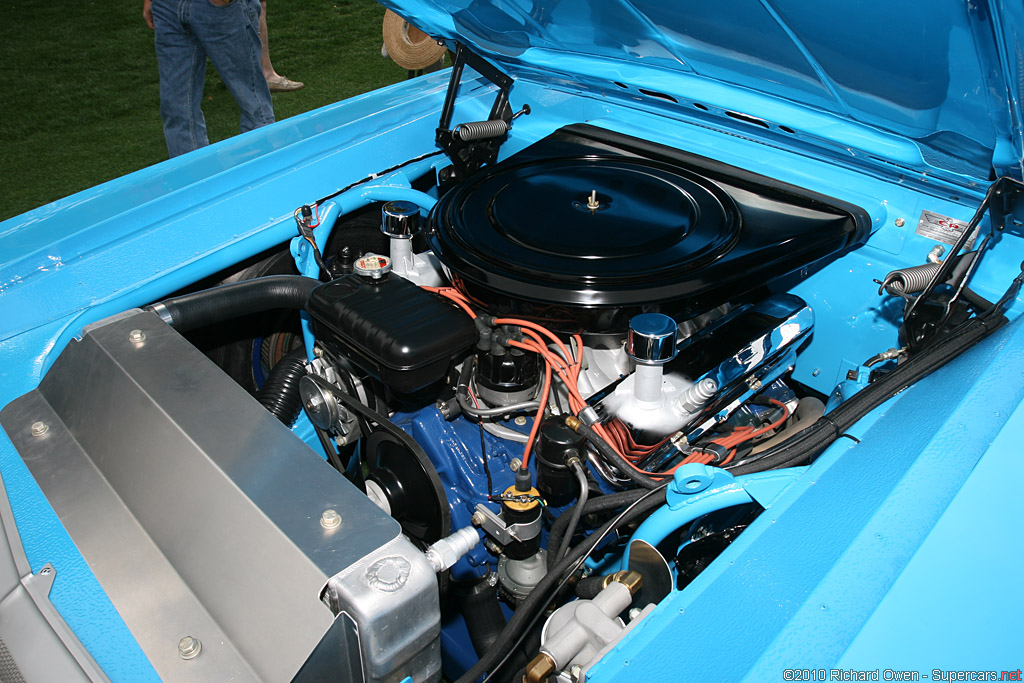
[951, 609]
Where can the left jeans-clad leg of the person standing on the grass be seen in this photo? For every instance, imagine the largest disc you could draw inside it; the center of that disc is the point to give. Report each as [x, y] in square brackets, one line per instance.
[182, 64]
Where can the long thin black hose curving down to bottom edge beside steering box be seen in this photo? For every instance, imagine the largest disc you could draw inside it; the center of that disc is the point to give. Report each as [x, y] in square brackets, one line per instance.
[542, 593]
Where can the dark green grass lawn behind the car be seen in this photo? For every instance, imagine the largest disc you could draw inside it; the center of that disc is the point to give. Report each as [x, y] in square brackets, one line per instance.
[82, 101]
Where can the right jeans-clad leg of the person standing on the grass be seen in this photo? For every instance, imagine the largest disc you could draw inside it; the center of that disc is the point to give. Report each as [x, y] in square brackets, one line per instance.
[231, 36]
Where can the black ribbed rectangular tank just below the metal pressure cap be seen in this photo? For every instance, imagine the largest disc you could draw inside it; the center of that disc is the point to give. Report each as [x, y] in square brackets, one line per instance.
[400, 333]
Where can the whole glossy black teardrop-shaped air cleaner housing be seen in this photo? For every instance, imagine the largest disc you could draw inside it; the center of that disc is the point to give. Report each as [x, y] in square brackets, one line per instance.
[586, 228]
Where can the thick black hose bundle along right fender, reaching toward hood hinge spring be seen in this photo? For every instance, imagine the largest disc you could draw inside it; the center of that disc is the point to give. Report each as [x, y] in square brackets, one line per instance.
[816, 439]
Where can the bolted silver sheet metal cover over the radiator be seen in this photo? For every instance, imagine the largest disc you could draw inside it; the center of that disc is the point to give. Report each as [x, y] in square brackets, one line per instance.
[197, 510]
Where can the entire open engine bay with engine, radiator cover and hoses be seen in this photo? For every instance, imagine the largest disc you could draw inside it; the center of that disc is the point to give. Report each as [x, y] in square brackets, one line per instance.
[540, 397]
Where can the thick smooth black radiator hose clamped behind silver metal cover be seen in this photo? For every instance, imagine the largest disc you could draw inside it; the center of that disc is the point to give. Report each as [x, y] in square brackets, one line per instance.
[198, 310]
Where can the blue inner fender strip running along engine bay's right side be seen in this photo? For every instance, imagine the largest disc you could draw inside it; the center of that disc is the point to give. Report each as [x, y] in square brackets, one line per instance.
[798, 587]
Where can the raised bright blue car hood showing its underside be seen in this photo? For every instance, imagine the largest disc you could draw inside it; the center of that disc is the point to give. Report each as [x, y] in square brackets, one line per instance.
[943, 79]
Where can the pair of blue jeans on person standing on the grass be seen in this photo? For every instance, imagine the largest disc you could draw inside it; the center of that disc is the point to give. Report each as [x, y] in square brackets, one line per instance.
[187, 33]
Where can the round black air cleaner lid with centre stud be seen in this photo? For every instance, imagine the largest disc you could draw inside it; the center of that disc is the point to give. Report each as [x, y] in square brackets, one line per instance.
[588, 232]
